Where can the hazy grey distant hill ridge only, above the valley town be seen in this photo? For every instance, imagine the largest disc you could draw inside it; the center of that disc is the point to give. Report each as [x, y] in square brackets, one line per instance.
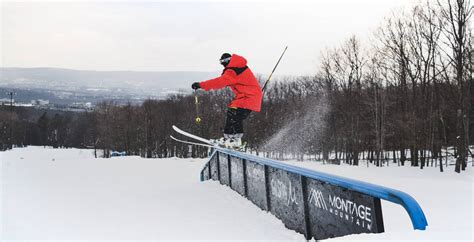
[67, 79]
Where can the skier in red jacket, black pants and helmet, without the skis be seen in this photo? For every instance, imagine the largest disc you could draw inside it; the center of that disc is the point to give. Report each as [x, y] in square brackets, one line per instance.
[248, 96]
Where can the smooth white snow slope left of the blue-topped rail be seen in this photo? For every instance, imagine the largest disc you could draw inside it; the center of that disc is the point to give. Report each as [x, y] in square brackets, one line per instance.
[58, 194]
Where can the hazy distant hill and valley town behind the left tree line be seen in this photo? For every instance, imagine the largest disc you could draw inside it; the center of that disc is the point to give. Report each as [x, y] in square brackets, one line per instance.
[65, 86]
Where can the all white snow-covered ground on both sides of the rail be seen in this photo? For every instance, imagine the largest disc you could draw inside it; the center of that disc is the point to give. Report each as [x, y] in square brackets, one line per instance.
[58, 194]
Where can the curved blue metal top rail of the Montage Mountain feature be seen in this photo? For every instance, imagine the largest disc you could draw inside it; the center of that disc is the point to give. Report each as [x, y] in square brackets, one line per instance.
[412, 207]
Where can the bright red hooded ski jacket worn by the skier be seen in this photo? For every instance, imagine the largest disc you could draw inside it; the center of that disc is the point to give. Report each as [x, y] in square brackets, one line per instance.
[236, 75]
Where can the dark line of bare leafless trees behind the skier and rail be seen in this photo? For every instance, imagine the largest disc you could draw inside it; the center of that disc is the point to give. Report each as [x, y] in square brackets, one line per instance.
[409, 93]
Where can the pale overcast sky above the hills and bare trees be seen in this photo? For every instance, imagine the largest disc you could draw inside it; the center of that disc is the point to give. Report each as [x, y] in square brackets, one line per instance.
[182, 36]
